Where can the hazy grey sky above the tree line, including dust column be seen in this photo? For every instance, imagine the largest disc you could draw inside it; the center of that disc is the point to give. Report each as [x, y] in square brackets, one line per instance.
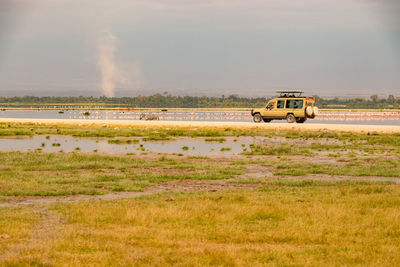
[190, 47]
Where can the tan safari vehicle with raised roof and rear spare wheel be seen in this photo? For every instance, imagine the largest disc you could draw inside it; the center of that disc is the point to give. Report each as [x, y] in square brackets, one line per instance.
[290, 106]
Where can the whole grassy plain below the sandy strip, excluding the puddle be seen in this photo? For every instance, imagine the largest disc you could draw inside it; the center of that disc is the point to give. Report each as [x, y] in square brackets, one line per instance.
[317, 198]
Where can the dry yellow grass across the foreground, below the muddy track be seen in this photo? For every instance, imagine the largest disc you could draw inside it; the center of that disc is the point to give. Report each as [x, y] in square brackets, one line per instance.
[283, 225]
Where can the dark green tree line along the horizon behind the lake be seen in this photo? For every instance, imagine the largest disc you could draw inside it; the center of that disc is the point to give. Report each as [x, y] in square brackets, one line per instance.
[169, 101]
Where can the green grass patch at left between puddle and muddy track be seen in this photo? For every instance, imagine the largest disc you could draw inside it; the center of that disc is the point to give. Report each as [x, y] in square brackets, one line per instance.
[45, 174]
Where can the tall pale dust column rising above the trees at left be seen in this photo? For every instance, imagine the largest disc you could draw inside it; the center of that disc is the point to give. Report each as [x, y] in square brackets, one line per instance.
[106, 63]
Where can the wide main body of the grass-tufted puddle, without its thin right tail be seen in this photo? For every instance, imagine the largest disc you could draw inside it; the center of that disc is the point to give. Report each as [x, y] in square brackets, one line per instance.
[196, 146]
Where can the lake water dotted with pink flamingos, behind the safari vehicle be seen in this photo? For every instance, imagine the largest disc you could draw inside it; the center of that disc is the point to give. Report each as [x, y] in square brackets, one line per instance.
[361, 118]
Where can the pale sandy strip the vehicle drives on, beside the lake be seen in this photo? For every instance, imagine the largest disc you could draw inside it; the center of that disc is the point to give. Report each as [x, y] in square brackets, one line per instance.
[205, 124]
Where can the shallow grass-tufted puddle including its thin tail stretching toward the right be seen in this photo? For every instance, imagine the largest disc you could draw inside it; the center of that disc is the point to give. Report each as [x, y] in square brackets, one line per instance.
[199, 146]
